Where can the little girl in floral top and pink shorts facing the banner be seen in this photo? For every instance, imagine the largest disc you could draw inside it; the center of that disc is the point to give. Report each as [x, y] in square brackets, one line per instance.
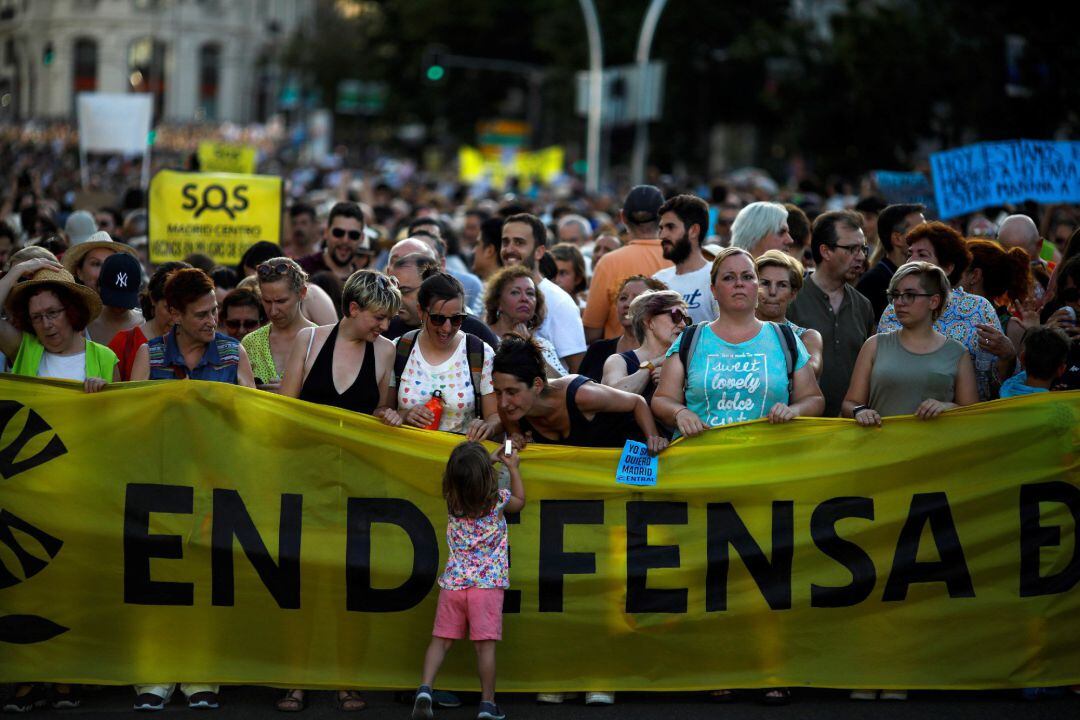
[477, 569]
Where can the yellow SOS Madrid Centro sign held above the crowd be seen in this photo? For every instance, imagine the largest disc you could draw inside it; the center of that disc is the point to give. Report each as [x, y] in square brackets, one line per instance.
[217, 214]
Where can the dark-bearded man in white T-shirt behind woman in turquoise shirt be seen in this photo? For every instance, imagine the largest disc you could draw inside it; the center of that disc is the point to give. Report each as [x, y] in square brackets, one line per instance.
[684, 221]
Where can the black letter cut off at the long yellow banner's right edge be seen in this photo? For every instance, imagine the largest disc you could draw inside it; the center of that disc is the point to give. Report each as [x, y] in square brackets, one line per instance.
[1034, 537]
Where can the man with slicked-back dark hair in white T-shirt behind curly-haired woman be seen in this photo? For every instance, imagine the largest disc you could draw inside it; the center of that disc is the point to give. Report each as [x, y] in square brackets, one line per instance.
[524, 242]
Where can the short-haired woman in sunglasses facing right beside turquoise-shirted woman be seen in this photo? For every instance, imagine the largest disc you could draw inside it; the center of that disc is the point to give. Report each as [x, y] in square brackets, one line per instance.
[657, 319]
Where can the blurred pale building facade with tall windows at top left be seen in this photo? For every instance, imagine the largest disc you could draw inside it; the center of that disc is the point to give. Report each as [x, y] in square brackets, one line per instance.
[202, 60]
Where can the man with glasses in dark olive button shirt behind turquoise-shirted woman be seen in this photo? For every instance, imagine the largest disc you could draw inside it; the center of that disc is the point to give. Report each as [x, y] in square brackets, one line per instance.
[828, 303]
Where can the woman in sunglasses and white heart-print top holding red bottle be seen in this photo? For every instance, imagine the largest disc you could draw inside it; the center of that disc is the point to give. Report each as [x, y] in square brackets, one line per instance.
[440, 357]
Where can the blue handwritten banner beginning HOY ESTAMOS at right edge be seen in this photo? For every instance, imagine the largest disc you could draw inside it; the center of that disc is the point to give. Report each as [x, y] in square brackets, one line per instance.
[977, 176]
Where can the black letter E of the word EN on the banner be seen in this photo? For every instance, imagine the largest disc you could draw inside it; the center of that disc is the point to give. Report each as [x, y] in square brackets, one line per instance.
[141, 547]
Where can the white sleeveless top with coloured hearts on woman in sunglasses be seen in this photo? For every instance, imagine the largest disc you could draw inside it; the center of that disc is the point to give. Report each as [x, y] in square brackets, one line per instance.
[421, 379]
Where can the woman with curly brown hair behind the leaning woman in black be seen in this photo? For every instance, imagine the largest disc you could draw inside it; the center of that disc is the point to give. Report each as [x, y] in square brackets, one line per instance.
[514, 305]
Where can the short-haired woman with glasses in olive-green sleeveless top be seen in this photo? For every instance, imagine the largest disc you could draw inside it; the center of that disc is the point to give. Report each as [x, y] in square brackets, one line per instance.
[916, 370]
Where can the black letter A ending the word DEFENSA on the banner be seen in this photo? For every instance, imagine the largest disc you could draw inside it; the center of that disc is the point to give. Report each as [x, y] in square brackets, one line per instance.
[952, 569]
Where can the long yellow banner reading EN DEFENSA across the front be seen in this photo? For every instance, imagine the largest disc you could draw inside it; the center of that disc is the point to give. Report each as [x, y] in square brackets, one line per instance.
[205, 533]
